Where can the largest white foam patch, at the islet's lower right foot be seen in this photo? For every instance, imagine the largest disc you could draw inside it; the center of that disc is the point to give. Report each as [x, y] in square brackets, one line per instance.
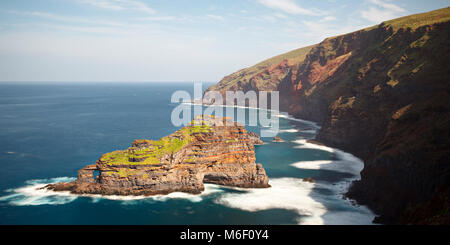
[296, 195]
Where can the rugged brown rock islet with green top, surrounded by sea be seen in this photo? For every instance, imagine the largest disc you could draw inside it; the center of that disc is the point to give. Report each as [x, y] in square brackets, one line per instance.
[204, 152]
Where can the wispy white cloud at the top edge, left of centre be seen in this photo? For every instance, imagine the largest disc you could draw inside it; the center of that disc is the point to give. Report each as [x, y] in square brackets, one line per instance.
[120, 5]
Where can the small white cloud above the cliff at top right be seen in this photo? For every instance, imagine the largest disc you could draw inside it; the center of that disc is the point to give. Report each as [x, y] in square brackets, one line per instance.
[382, 11]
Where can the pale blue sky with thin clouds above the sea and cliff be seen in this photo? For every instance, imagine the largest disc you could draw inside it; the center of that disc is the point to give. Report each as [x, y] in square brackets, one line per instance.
[176, 40]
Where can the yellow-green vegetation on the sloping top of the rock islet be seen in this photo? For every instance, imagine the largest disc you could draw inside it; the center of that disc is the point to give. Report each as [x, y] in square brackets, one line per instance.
[155, 150]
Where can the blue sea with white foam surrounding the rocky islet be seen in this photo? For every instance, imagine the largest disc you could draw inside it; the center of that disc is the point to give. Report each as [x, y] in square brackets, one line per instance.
[50, 130]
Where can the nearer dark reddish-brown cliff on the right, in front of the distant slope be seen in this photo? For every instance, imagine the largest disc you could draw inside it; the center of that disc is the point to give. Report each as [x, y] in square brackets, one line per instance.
[382, 94]
